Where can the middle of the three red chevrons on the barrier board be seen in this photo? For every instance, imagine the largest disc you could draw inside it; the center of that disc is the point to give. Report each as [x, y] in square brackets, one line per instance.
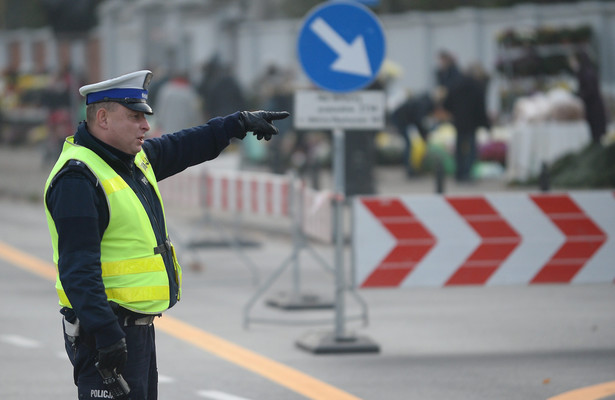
[498, 240]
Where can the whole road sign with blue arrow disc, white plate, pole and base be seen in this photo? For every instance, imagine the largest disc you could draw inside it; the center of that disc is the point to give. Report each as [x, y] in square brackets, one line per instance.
[341, 48]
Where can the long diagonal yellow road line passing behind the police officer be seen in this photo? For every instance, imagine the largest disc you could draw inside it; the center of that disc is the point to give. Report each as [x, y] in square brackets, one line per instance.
[279, 373]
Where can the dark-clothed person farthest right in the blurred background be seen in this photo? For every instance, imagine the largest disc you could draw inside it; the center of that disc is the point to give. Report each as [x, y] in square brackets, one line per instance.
[589, 91]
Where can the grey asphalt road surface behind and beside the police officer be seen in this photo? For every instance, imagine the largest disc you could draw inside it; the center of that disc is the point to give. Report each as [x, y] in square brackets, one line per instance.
[509, 343]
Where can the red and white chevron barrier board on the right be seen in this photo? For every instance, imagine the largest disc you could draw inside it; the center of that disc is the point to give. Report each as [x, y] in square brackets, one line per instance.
[491, 239]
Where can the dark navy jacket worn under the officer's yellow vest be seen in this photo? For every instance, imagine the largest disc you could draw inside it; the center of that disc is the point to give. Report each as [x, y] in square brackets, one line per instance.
[79, 209]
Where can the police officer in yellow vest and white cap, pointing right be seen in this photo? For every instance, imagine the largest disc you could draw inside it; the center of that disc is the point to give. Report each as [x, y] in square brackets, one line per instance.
[117, 268]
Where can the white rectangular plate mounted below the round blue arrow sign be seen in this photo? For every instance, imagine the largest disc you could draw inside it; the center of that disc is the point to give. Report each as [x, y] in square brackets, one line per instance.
[316, 109]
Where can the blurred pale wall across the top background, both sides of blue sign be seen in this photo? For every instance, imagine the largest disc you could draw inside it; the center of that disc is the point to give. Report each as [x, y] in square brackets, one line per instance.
[184, 35]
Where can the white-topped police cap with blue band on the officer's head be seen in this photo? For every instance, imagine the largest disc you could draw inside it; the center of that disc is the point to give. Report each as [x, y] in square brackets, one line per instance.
[129, 90]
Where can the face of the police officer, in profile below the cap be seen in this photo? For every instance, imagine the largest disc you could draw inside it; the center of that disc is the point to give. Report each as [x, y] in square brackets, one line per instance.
[127, 129]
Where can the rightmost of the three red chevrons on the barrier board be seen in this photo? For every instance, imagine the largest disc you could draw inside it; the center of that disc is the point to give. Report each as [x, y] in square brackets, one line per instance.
[583, 238]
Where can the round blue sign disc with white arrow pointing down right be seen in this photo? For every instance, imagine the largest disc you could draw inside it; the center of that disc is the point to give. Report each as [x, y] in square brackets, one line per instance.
[341, 46]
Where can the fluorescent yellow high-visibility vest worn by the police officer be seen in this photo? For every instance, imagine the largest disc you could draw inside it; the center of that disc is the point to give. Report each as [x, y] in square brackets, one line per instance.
[134, 276]
